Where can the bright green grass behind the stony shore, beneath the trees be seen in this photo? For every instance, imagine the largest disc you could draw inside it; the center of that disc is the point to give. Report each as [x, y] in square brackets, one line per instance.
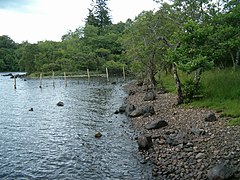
[221, 92]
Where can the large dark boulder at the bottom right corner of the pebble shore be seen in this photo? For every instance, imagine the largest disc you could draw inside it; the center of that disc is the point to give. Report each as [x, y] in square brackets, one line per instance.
[220, 172]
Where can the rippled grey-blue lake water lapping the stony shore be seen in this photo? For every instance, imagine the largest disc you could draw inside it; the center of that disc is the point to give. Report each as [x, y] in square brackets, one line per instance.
[54, 142]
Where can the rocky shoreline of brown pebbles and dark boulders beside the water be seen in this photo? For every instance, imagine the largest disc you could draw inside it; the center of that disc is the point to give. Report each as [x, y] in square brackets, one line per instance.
[182, 143]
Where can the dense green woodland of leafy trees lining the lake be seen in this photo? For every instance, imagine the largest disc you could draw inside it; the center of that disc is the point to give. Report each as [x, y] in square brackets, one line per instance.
[182, 35]
